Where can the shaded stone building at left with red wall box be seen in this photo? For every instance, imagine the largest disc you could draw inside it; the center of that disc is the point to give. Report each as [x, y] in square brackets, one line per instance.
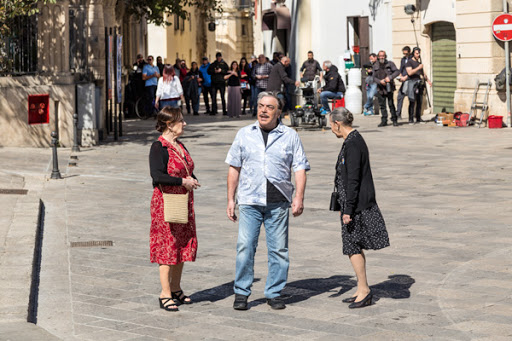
[62, 71]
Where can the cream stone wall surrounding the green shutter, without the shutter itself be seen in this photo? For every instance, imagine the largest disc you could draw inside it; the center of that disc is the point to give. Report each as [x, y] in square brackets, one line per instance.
[479, 55]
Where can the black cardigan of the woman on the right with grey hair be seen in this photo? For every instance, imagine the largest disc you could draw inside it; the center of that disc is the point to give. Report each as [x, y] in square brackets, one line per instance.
[354, 169]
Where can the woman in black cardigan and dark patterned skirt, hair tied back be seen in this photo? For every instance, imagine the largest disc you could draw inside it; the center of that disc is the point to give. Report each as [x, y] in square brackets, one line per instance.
[362, 224]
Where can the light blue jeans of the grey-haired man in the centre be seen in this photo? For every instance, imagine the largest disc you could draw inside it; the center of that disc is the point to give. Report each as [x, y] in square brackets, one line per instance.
[275, 218]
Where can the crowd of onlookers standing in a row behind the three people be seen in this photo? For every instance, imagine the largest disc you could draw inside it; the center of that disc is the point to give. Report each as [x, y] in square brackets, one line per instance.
[174, 85]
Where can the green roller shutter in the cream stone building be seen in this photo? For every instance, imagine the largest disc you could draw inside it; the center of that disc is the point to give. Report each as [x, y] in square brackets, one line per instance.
[444, 66]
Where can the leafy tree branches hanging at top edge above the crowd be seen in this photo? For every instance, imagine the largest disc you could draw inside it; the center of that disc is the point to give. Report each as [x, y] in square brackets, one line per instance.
[154, 10]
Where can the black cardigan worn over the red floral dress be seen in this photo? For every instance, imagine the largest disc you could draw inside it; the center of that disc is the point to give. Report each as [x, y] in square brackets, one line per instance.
[158, 160]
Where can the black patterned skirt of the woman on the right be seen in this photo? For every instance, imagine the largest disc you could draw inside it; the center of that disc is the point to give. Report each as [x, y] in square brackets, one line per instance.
[366, 231]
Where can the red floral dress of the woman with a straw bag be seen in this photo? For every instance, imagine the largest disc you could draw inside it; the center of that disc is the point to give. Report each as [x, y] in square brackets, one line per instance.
[171, 243]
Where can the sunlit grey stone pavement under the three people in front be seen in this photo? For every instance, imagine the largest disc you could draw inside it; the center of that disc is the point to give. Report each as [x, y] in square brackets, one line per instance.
[444, 193]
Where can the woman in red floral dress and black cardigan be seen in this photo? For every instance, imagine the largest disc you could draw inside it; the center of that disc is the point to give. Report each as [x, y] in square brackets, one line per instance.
[171, 244]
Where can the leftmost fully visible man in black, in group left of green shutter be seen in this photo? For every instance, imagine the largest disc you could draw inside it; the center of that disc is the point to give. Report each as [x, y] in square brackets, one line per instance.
[384, 73]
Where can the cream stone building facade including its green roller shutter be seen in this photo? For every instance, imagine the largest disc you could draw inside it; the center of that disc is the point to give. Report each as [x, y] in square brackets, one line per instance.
[458, 49]
